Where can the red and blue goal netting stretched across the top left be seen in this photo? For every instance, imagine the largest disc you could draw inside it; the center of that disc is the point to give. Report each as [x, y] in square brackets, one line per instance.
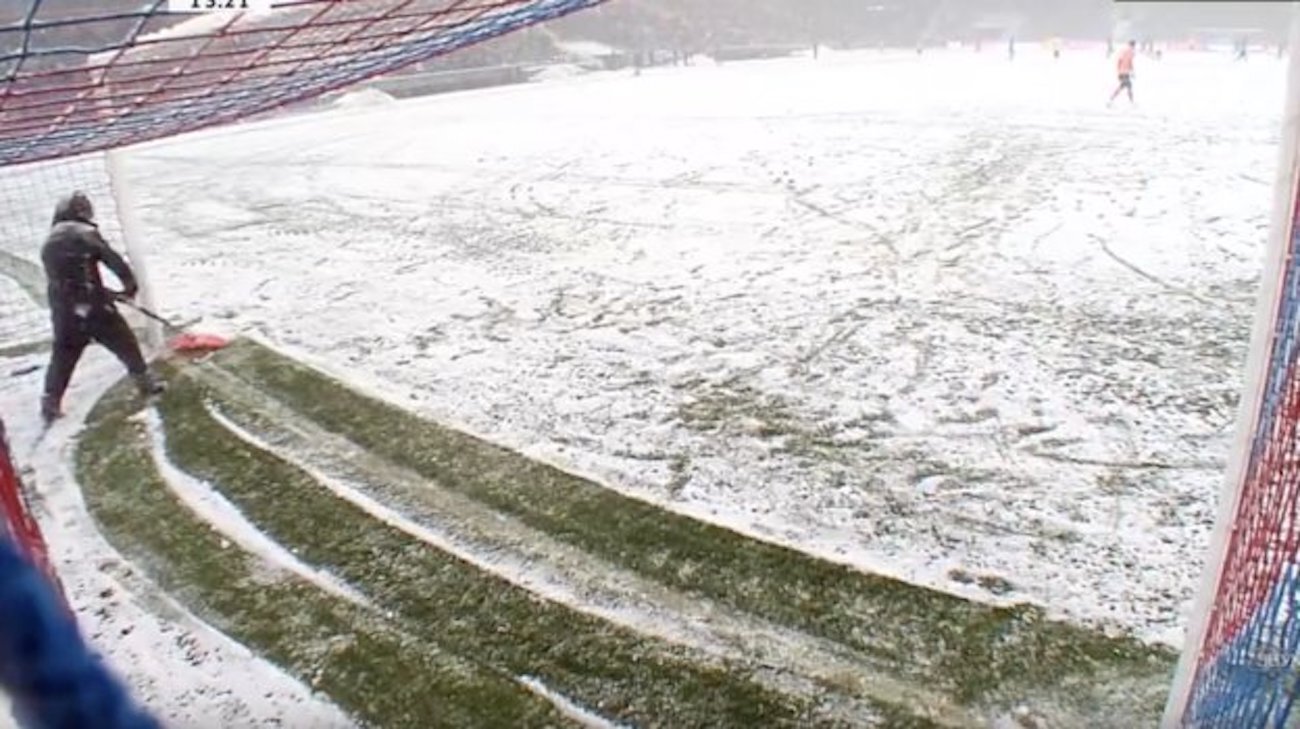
[84, 76]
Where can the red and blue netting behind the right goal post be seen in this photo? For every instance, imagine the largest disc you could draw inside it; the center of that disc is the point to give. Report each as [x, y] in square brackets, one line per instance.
[1249, 674]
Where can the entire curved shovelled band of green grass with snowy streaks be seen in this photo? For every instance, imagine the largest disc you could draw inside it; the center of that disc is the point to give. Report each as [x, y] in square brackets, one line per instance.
[479, 553]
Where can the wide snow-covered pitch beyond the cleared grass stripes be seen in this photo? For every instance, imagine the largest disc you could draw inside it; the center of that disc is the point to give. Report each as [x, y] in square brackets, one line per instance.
[943, 318]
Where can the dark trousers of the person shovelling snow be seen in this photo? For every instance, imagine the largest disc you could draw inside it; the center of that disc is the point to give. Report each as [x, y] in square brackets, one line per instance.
[103, 326]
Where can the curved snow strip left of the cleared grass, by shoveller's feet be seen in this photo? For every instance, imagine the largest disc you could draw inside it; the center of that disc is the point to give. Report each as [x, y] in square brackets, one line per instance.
[184, 670]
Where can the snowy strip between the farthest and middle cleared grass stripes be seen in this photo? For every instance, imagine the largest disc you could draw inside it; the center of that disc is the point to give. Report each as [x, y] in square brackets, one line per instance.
[536, 562]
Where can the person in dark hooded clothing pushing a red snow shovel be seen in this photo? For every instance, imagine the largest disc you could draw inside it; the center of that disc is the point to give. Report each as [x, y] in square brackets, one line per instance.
[81, 307]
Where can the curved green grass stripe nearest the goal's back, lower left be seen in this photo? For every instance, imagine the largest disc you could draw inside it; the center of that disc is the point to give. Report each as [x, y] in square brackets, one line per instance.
[369, 666]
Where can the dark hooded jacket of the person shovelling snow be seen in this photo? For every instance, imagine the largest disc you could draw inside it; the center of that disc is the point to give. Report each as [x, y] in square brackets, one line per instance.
[72, 255]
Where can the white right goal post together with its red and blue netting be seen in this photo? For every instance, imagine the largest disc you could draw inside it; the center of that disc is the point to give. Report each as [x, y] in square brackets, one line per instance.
[1241, 665]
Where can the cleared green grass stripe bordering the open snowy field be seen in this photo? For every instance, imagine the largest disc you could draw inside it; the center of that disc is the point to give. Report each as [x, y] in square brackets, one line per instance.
[978, 653]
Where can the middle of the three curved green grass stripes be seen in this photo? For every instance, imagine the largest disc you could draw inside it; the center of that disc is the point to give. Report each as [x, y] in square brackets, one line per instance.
[458, 606]
